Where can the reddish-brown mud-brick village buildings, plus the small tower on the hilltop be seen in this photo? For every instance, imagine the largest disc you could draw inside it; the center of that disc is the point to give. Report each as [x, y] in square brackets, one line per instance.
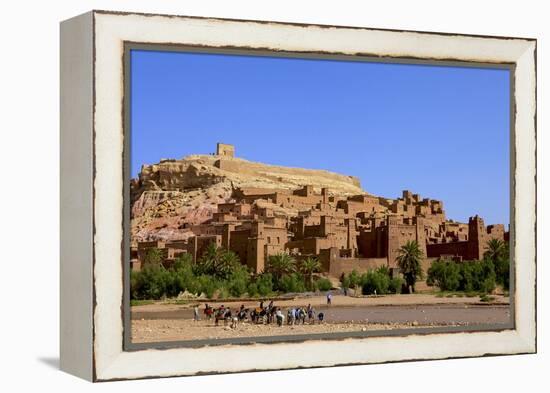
[359, 232]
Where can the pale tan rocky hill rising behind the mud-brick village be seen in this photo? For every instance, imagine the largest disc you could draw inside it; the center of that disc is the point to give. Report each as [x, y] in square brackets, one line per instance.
[172, 194]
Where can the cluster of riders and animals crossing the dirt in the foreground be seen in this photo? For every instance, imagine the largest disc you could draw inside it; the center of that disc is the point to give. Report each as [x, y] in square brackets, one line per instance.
[261, 314]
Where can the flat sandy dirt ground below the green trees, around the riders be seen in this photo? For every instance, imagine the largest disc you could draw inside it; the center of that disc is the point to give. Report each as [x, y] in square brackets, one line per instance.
[171, 322]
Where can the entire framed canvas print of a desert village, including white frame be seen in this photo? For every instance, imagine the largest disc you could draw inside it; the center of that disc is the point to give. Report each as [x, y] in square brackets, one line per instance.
[246, 195]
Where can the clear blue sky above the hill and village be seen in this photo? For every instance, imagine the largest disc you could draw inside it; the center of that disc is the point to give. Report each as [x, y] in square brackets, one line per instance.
[442, 132]
